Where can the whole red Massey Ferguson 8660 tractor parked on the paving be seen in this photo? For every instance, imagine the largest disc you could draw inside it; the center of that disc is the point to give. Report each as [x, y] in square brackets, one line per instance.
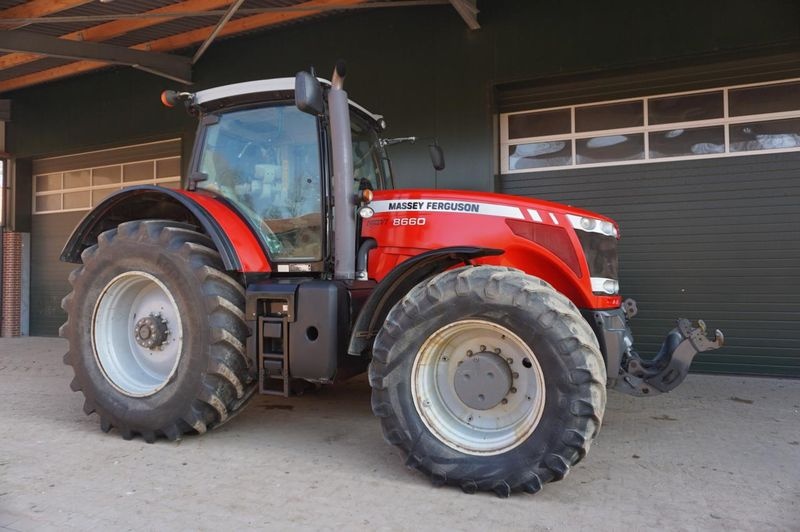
[491, 325]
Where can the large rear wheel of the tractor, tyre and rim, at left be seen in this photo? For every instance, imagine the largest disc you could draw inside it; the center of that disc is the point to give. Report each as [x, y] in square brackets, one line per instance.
[156, 332]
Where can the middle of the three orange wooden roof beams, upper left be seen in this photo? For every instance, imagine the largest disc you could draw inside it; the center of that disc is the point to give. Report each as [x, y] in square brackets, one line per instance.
[110, 30]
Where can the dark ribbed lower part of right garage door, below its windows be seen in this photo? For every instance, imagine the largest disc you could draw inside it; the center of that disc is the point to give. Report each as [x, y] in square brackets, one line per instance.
[717, 239]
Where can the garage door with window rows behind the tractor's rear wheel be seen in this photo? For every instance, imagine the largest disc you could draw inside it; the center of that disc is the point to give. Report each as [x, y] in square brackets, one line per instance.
[64, 189]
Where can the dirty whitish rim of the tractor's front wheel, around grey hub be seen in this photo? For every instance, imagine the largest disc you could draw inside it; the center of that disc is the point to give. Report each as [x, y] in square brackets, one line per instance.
[489, 431]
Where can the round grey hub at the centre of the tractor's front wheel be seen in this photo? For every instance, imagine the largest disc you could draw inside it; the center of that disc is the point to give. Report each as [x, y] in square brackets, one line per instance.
[483, 380]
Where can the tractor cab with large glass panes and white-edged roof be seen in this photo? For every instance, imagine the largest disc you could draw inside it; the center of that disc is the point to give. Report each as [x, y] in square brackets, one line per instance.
[256, 150]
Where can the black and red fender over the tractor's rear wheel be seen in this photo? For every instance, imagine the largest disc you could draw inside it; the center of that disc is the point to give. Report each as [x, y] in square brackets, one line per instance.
[239, 249]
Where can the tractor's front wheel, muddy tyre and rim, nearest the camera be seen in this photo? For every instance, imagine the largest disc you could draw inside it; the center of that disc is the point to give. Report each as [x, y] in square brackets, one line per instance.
[488, 379]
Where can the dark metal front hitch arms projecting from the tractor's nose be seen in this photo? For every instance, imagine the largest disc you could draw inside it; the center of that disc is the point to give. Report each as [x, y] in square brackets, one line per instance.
[670, 365]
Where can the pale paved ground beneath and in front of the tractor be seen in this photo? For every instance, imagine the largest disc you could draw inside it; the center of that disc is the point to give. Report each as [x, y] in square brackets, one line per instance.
[719, 453]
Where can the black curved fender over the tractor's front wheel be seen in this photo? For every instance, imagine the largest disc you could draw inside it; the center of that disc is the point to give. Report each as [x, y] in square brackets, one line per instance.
[398, 282]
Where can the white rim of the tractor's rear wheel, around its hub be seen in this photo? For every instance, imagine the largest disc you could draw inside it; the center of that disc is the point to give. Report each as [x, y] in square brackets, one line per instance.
[130, 367]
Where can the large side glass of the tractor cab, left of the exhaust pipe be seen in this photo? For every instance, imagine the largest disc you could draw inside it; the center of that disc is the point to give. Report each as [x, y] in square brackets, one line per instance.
[266, 161]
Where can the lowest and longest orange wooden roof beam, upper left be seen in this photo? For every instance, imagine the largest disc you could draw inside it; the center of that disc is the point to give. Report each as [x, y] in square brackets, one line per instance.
[174, 42]
